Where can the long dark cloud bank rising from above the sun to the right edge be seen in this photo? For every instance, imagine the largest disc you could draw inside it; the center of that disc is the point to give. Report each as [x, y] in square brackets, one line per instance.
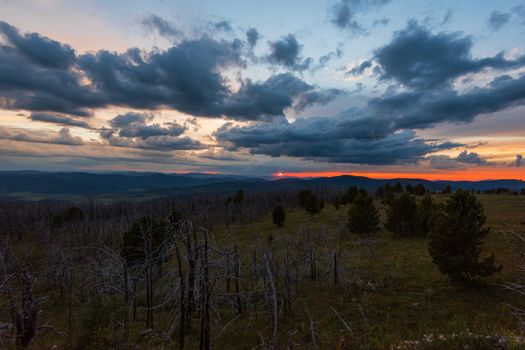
[384, 122]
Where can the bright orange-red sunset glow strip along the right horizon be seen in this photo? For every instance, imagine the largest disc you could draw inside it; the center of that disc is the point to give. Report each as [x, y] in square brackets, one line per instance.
[454, 175]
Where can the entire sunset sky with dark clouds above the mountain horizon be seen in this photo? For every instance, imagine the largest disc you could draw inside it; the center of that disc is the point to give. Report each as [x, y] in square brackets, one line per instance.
[380, 88]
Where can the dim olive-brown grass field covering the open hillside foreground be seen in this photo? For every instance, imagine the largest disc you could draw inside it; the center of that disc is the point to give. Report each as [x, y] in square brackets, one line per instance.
[389, 293]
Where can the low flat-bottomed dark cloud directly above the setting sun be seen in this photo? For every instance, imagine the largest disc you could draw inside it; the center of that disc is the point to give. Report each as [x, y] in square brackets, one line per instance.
[300, 139]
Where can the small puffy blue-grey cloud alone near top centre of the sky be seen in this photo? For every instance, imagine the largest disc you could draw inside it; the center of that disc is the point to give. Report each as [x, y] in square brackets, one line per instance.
[287, 52]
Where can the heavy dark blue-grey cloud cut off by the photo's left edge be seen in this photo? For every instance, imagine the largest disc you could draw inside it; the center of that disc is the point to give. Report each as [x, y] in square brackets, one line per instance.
[36, 74]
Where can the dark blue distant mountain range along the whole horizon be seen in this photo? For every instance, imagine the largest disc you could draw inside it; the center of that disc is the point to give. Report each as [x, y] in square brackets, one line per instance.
[37, 185]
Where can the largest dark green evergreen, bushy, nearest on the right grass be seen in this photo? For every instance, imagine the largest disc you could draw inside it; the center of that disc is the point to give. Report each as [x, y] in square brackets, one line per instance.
[455, 244]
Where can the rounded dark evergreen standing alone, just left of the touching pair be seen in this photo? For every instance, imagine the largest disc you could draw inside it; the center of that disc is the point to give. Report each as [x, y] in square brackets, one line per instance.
[363, 217]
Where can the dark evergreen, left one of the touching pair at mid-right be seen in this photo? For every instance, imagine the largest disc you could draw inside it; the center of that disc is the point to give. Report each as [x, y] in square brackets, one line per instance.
[402, 216]
